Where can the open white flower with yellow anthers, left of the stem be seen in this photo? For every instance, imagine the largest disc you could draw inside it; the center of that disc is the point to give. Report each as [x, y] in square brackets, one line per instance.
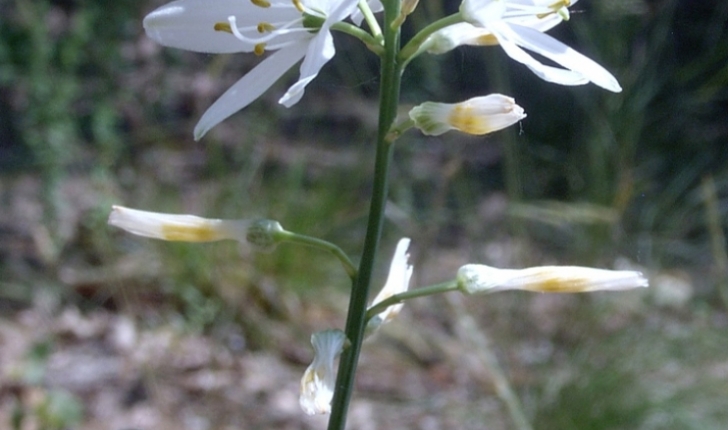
[227, 26]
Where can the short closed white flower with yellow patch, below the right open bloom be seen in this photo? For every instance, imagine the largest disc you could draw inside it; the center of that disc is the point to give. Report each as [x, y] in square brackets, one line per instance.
[479, 115]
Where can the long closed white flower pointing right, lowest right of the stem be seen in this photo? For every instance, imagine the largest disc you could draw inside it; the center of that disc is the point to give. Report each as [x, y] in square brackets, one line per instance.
[478, 278]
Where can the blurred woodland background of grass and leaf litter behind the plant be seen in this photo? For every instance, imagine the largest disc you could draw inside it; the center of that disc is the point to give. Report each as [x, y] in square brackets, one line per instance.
[99, 329]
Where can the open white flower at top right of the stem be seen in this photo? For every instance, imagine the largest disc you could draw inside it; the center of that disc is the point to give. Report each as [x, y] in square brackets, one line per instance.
[516, 25]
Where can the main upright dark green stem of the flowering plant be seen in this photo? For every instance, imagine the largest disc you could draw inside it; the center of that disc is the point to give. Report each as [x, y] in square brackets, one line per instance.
[355, 323]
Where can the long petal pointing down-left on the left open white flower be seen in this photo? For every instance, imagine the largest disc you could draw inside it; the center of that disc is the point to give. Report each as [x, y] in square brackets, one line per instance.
[250, 86]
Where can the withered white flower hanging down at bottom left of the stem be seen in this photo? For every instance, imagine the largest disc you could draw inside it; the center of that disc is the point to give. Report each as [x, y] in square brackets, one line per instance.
[317, 383]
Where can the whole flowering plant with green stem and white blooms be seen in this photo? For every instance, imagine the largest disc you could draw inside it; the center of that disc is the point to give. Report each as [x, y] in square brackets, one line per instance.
[302, 30]
